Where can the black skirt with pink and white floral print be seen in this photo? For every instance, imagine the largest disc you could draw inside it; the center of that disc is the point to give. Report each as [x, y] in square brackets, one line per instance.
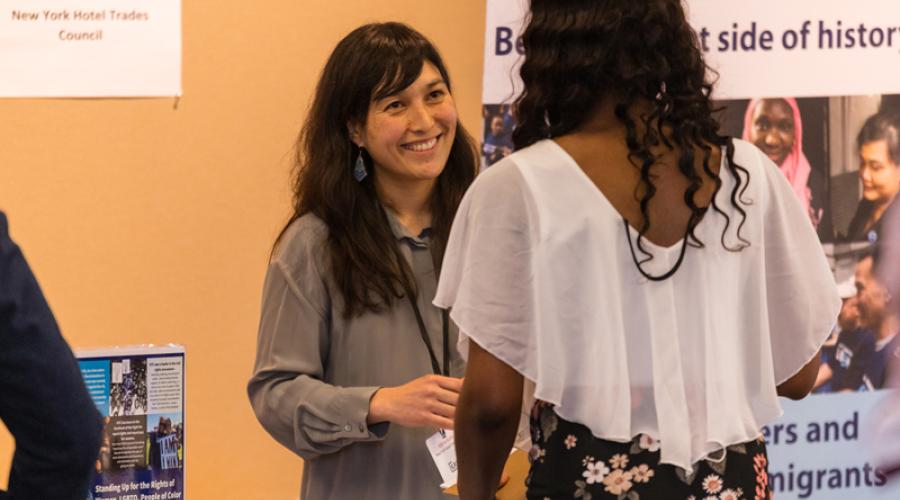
[567, 461]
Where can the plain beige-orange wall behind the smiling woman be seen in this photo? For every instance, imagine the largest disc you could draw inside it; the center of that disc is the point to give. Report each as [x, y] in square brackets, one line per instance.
[149, 224]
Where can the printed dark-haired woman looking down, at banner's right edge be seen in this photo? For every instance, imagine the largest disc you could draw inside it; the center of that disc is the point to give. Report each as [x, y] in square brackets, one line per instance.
[878, 145]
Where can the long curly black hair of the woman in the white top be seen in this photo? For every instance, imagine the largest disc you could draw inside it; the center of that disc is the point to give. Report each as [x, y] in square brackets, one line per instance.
[578, 52]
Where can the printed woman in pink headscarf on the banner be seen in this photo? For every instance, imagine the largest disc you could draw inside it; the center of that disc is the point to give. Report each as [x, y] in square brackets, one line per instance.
[775, 126]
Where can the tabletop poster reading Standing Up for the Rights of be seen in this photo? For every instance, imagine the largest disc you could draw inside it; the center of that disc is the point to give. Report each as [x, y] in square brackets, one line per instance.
[140, 394]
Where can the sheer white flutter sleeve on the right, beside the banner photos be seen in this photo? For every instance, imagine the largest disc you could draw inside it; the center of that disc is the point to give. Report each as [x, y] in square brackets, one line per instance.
[801, 295]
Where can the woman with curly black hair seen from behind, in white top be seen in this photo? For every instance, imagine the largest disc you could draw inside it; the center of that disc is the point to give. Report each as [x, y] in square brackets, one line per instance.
[652, 285]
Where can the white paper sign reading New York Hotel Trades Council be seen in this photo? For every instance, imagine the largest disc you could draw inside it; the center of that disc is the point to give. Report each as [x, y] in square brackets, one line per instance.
[90, 48]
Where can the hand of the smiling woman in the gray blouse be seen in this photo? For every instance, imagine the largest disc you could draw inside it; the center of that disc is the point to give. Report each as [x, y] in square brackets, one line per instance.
[428, 401]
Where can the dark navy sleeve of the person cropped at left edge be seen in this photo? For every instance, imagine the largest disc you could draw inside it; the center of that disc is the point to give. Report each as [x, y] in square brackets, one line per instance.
[43, 400]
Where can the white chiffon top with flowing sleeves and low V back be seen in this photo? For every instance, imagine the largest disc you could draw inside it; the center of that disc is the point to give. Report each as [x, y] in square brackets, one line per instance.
[539, 273]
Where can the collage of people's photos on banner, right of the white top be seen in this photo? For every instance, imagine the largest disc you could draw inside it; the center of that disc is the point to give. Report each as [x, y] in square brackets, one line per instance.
[837, 154]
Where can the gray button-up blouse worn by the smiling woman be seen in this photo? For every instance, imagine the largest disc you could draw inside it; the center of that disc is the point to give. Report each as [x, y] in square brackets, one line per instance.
[316, 371]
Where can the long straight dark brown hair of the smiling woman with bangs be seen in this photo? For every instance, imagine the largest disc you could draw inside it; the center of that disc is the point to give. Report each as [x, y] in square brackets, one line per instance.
[372, 62]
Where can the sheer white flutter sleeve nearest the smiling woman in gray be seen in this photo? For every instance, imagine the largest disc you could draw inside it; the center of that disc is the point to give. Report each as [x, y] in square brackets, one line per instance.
[488, 275]
